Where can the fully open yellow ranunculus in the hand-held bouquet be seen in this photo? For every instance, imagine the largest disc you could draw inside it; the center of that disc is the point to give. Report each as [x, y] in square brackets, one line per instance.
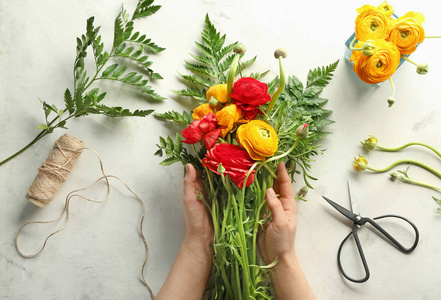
[258, 138]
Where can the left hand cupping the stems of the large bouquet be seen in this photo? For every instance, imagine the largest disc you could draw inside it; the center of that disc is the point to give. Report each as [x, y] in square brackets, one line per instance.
[198, 223]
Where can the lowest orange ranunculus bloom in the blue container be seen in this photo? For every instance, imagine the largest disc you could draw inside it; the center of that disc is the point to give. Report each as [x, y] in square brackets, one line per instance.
[378, 67]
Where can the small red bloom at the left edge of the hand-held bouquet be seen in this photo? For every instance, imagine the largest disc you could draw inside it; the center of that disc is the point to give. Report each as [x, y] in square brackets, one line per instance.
[204, 129]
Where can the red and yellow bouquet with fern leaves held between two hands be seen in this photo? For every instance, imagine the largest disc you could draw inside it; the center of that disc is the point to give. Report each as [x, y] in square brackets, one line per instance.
[239, 132]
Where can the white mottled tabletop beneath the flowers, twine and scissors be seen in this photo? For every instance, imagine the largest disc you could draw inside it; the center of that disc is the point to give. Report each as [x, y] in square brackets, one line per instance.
[99, 255]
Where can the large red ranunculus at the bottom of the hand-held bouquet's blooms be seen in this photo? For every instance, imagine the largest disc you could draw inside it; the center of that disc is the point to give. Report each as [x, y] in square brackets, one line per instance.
[236, 161]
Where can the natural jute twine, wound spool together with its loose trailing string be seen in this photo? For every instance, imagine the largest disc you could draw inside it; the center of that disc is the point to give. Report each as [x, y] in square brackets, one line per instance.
[68, 147]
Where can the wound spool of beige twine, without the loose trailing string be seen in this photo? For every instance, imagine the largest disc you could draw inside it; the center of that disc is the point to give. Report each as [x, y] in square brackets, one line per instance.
[54, 170]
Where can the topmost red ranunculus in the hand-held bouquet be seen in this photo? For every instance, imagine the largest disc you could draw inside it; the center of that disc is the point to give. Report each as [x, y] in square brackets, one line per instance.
[249, 93]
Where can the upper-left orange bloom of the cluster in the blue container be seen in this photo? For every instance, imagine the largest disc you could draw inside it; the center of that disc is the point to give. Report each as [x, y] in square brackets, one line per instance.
[371, 23]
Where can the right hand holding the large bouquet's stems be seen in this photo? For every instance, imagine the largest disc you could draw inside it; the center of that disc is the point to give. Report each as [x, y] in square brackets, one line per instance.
[277, 239]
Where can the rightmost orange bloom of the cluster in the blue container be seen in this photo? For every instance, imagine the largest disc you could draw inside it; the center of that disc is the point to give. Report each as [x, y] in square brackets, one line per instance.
[407, 32]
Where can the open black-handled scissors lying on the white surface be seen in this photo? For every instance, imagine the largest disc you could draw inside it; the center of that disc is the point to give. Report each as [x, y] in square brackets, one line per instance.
[359, 221]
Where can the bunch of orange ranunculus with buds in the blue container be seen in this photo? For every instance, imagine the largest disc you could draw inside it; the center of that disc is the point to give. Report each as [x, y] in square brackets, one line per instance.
[383, 41]
